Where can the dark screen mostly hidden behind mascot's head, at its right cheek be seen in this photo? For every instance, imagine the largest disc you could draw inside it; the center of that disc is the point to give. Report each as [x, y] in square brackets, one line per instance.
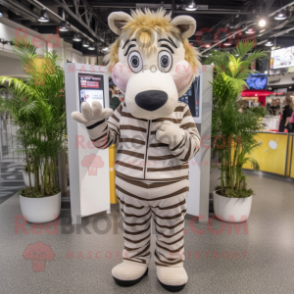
[192, 97]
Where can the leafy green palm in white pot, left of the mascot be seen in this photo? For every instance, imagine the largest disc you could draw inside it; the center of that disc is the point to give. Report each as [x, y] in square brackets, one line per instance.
[38, 109]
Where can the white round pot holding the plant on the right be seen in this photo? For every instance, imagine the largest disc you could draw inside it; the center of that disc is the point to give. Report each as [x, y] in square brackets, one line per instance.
[233, 210]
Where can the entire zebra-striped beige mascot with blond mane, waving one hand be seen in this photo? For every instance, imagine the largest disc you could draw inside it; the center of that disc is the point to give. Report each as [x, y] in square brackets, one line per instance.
[153, 64]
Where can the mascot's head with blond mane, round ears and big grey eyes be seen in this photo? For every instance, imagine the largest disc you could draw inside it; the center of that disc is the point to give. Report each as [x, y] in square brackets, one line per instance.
[152, 61]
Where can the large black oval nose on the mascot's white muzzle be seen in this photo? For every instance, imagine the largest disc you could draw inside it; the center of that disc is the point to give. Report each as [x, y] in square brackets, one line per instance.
[151, 100]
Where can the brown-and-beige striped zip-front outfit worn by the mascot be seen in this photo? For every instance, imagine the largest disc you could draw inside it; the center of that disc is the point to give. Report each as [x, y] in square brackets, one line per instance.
[151, 180]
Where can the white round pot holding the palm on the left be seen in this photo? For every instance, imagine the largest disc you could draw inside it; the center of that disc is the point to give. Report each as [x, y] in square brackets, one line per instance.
[41, 210]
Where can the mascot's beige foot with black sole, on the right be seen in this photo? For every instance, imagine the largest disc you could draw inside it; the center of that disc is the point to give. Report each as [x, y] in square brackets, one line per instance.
[172, 279]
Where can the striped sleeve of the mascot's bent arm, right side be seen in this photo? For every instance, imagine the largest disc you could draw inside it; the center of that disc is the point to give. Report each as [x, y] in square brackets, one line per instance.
[190, 144]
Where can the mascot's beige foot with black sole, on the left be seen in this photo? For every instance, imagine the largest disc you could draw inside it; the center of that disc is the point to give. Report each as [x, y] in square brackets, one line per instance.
[129, 273]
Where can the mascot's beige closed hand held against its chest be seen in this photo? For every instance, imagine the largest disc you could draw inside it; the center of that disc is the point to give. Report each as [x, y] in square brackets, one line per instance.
[170, 133]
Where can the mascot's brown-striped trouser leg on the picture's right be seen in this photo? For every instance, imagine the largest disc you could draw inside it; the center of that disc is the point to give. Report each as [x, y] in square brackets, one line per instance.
[168, 204]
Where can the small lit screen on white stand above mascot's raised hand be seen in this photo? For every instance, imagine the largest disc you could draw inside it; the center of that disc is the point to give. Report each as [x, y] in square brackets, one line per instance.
[91, 88]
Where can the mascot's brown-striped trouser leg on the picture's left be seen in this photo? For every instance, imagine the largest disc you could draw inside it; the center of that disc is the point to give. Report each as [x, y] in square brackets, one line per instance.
[136, 212]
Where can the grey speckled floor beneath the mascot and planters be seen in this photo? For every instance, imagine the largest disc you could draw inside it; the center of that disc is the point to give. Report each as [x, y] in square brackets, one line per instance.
[217, 261]
